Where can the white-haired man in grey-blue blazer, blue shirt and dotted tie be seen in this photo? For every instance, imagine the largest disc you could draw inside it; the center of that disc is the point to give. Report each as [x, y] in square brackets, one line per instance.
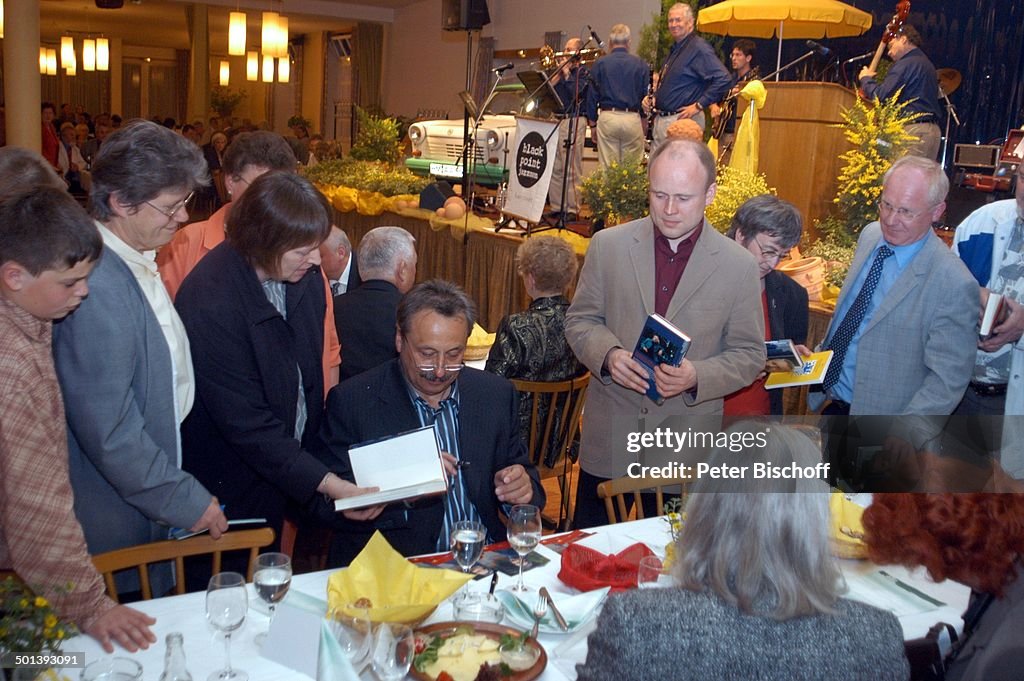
[905, 331]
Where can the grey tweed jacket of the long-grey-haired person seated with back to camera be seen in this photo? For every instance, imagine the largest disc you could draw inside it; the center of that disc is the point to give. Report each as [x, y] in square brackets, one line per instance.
[678, 634]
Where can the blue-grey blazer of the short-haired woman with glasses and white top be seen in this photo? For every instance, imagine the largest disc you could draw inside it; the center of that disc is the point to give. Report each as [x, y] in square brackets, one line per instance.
[115, 372]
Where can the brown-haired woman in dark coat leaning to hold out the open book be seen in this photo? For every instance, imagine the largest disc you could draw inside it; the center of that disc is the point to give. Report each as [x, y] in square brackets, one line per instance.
[254, 312]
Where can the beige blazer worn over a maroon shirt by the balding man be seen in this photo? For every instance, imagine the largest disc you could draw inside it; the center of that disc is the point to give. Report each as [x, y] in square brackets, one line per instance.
[717, 305]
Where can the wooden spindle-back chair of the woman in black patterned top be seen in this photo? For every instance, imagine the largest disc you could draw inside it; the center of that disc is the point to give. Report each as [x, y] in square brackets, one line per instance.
[554, 433]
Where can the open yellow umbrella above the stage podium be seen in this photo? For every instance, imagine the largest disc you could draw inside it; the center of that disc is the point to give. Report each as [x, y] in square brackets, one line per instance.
[784, 19]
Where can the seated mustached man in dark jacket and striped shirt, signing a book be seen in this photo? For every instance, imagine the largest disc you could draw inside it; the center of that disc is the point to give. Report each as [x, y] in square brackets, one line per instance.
[474, 414]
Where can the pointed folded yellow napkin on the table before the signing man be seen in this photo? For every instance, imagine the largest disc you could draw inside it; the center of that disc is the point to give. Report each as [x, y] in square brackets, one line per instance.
[398, 590]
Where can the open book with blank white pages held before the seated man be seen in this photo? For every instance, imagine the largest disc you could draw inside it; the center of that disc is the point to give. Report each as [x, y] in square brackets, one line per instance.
[403, 466]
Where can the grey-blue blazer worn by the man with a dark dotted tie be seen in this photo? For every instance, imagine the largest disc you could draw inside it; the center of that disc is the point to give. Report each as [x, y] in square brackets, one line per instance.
[917, 354]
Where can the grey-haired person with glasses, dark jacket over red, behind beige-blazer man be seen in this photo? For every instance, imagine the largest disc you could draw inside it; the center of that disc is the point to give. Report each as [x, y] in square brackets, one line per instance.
[769, 228]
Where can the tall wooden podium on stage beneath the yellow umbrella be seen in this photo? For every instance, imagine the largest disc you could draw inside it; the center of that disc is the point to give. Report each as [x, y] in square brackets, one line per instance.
[801, 144]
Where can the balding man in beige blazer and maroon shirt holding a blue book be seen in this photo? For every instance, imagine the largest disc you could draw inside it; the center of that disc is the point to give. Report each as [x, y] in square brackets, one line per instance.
[676, 265]
